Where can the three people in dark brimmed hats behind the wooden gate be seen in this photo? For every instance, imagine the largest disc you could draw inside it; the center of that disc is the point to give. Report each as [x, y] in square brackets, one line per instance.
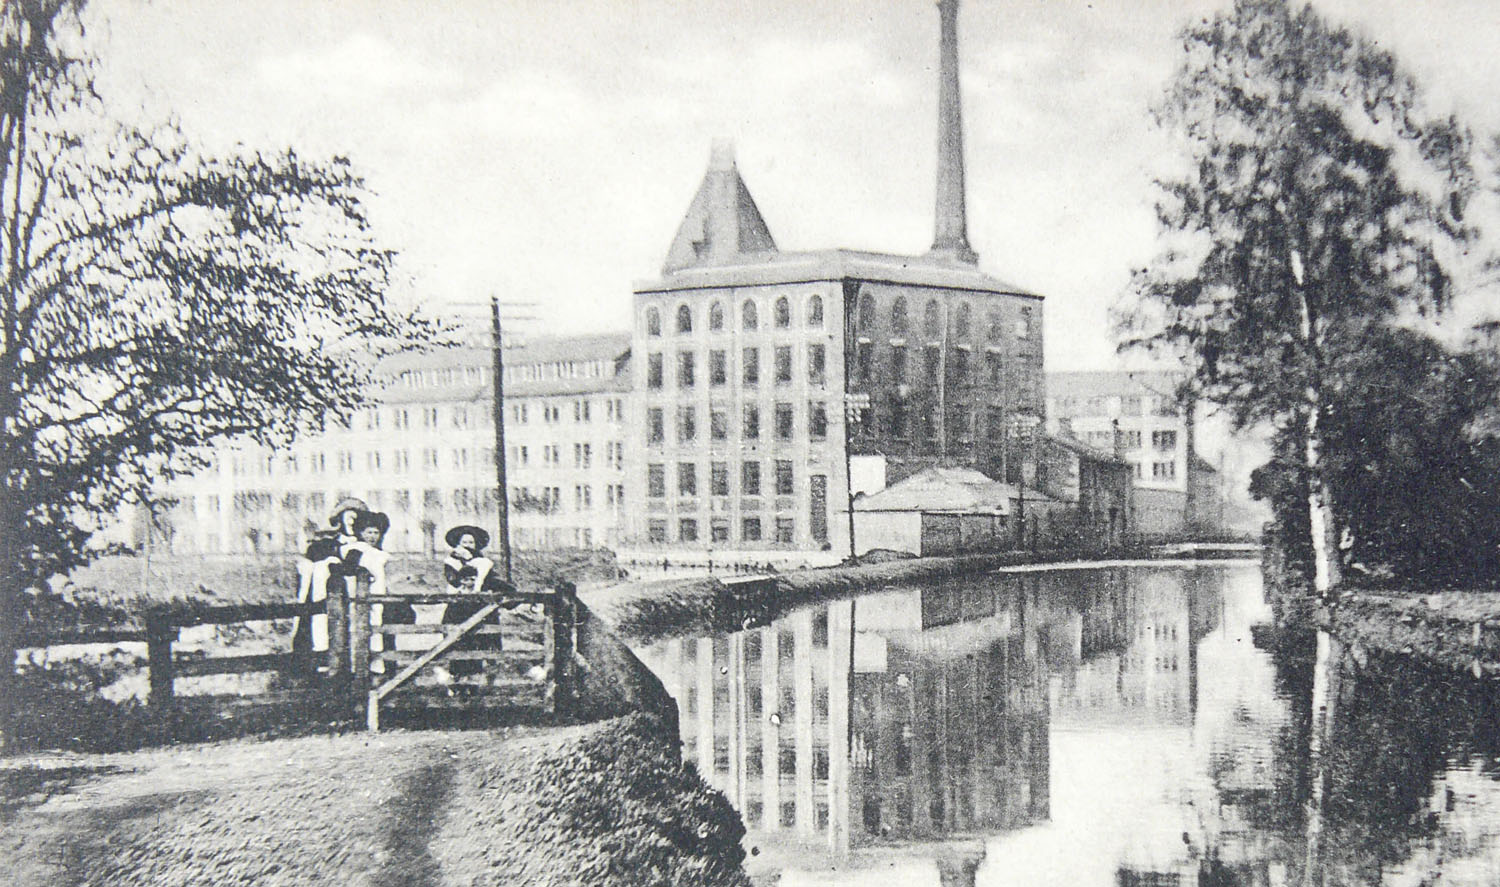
[355, 543]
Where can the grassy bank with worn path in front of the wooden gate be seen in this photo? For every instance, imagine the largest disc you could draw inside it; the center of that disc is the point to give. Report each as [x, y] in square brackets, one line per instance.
[601, 804]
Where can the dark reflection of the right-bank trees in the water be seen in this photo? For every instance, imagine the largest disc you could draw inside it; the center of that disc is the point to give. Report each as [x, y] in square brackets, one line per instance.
[1399, 729]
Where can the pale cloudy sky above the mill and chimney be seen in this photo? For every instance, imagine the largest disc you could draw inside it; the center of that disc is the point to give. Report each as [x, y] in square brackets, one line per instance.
[545, 151]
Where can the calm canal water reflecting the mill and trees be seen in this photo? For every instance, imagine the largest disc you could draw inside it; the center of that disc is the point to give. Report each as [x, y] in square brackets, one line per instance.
[1114, 727]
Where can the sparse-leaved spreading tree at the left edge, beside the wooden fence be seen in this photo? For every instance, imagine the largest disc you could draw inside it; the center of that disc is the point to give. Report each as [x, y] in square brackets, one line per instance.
[157, 301]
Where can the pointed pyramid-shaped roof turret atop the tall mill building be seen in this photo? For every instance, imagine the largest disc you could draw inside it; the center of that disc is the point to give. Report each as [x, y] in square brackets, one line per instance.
[722, 224]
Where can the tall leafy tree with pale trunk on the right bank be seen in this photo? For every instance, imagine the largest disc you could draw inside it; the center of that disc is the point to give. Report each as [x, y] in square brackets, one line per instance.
[1318, 205]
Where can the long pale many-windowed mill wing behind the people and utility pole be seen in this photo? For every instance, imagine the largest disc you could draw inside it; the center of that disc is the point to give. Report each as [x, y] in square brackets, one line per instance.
[425, 456]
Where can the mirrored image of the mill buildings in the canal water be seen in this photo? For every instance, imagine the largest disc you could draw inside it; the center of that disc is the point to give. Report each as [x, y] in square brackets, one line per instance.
[922, 720]
